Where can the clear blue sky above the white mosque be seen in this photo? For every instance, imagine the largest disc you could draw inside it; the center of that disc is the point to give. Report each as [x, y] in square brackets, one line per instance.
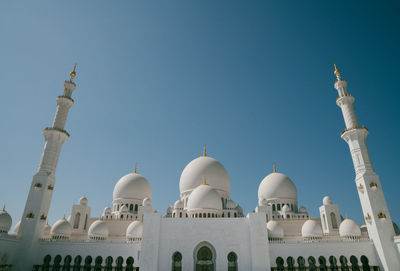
[158, 79]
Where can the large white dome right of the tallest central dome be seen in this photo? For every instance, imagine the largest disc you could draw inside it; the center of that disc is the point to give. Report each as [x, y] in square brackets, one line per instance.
[277, 186]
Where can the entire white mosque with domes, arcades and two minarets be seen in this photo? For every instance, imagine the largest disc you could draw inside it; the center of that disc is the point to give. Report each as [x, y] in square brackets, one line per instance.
[205, 229]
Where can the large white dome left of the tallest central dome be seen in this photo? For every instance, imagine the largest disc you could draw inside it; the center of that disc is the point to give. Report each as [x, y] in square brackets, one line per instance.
[132, 186]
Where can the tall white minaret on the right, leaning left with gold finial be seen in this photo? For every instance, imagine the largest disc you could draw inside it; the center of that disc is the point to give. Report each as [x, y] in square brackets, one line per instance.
[373, 203]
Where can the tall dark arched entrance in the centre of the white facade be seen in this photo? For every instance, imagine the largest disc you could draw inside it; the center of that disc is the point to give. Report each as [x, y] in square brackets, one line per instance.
[204, 257]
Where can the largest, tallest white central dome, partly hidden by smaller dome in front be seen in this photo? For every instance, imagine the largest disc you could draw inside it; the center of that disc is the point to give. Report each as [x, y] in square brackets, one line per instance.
[193, 174]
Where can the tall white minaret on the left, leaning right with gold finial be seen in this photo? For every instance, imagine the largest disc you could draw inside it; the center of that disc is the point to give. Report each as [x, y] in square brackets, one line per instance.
[43, 182]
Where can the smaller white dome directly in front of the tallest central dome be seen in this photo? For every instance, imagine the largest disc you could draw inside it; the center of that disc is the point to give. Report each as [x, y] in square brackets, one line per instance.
[204, 197]
